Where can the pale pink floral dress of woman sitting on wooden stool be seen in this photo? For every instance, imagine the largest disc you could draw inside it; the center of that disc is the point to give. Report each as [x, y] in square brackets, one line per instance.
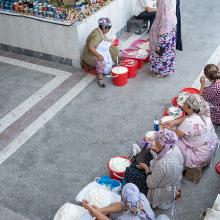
[199, 142]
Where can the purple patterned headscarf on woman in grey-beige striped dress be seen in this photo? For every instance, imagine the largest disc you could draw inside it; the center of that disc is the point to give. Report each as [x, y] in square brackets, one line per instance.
[167, 139]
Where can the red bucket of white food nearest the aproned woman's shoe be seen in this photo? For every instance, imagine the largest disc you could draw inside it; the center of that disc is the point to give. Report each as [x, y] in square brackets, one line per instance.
[120, 75]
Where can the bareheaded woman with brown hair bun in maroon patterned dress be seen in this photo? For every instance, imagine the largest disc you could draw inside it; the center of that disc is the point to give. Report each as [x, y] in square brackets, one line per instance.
[212, 93]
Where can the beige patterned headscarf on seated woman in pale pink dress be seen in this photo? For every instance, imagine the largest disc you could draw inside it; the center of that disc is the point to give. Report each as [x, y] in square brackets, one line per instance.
[197, 103]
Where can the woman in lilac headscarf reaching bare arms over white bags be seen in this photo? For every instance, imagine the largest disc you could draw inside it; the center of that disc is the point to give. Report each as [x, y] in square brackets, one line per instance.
[134, 206]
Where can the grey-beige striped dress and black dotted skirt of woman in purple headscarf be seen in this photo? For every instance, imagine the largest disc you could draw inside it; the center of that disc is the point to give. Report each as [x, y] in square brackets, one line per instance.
[166, 175]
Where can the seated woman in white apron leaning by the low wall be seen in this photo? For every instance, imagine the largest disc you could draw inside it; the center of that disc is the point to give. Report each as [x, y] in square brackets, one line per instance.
[98, 49]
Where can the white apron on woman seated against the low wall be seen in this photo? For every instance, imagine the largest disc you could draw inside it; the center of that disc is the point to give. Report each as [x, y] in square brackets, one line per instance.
[103, 49]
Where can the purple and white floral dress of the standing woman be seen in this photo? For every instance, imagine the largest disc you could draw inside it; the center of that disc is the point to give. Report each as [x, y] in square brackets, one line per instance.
[164, 64]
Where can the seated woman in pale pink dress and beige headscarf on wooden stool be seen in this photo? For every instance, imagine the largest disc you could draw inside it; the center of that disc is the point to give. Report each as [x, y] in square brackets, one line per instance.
[197, 137]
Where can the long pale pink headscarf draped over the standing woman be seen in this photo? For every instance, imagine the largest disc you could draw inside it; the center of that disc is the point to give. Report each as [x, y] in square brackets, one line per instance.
[164, 22]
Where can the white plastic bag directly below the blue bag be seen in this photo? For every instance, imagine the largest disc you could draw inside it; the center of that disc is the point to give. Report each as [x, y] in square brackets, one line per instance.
[98, 195]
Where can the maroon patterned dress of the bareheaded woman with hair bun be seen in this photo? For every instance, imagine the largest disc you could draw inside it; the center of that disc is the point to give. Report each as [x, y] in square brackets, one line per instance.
[212, 95]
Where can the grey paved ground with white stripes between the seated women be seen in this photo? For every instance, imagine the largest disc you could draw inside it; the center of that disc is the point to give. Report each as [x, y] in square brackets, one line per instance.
[62, 141]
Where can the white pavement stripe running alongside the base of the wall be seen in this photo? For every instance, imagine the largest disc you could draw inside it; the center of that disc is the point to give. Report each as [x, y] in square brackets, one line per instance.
[23, 64]
